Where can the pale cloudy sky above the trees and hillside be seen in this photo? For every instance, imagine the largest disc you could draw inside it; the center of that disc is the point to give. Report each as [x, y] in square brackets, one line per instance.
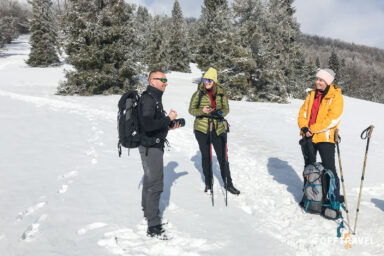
[357, 21]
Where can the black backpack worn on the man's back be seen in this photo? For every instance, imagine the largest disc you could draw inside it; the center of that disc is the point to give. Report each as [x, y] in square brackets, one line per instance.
[128, 121]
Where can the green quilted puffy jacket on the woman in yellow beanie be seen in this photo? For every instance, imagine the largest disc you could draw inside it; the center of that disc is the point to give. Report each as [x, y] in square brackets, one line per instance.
[201, 121]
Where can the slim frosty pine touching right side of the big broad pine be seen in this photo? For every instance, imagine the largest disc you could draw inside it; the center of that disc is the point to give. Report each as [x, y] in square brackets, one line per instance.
[143, 24]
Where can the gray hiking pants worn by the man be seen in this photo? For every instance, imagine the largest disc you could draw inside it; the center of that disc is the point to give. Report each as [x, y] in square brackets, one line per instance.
[153, 183]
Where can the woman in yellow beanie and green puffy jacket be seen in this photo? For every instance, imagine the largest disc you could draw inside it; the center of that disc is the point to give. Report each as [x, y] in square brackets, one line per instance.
[209, 104]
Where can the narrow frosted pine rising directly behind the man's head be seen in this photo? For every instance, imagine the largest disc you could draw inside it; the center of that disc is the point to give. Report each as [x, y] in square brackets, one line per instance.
[159, 44]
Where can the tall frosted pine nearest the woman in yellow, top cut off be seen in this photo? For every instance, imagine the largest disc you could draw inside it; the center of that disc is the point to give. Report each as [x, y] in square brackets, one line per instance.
[278, 51]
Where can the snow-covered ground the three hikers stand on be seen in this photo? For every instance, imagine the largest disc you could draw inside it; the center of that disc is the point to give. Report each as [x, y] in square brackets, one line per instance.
[64, 191]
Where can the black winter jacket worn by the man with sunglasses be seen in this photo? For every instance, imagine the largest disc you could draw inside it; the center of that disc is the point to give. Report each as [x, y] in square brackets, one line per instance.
[153, 120]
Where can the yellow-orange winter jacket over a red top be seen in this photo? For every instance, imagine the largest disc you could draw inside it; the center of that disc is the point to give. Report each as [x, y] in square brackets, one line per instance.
[328, 117]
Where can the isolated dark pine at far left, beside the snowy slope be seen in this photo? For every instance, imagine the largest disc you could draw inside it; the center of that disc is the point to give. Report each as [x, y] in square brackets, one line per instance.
[43, 38]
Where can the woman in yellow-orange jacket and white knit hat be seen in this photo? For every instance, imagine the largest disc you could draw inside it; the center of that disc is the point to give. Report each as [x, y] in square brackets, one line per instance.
[318, 119]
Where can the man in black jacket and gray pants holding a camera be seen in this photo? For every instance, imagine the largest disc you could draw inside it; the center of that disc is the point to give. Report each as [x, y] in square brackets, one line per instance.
[154, 126]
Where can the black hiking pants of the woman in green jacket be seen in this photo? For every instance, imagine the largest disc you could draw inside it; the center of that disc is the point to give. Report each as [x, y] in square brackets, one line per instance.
[220, 146]
